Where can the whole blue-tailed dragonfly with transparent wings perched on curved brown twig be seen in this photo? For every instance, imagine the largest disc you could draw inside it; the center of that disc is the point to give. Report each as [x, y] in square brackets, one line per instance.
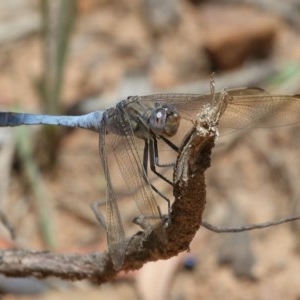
[154, 121]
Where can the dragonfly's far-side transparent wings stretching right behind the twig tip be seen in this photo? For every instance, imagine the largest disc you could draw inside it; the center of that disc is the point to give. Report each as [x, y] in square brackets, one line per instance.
[247, 108]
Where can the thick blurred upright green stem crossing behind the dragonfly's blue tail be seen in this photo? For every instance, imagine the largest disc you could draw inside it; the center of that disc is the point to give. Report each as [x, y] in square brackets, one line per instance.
[58, 19]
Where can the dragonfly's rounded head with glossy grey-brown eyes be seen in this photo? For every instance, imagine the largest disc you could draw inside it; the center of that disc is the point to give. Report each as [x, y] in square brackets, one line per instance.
[164, 120]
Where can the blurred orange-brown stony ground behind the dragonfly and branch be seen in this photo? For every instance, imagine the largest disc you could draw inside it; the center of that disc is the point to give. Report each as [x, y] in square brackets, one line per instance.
[133, 47]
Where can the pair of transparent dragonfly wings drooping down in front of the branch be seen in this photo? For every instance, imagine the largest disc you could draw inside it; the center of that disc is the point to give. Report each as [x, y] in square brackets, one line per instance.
[120, 147]
